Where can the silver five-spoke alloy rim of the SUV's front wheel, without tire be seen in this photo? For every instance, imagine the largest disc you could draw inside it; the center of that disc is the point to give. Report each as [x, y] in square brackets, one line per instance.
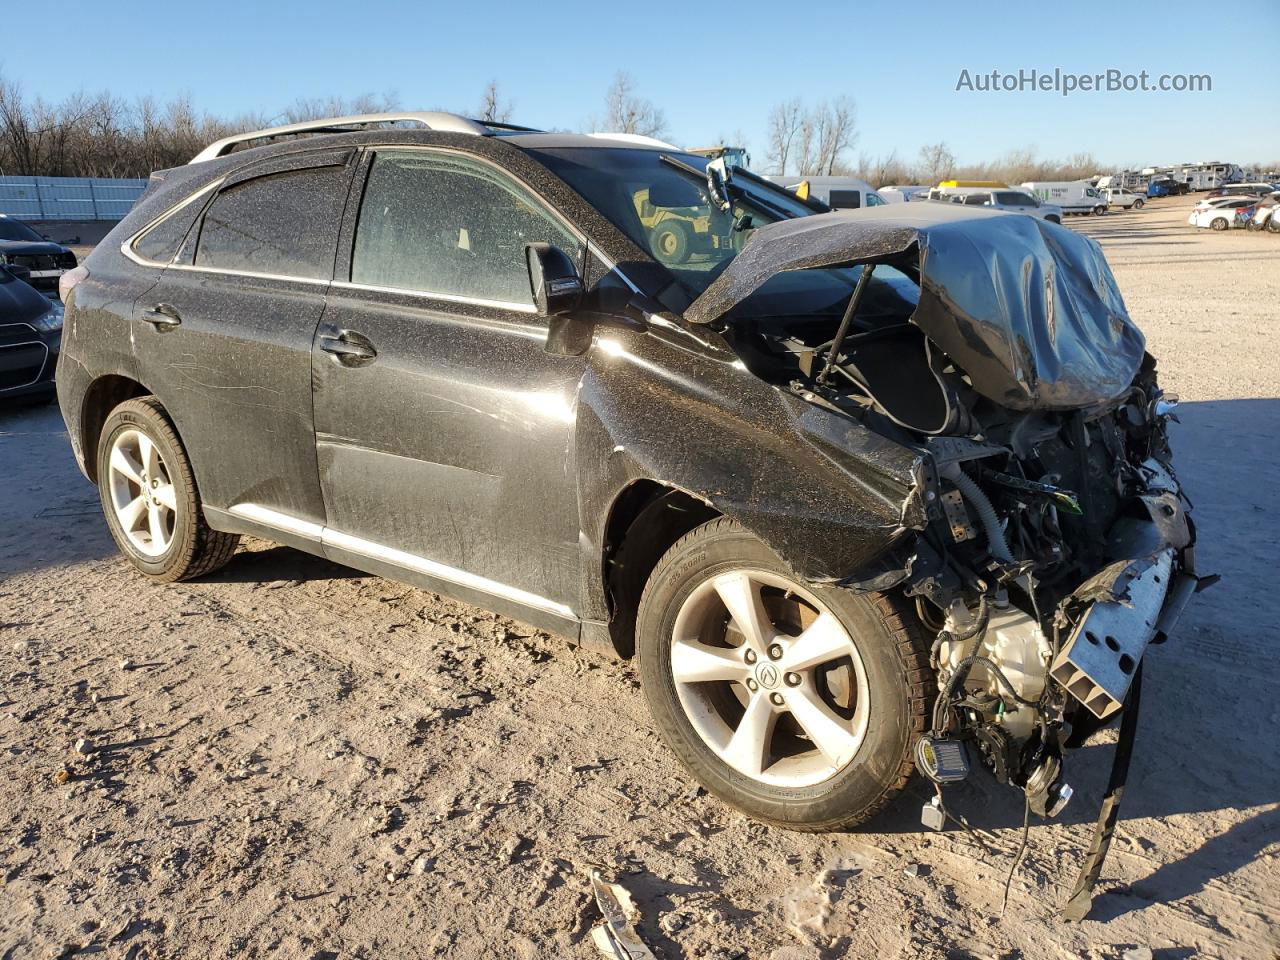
[770, 679]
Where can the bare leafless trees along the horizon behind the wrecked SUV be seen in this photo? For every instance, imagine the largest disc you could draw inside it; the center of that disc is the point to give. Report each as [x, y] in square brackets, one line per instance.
[102, 135]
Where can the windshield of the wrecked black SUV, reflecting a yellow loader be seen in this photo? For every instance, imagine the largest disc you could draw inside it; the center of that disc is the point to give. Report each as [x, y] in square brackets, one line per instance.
[662, 204]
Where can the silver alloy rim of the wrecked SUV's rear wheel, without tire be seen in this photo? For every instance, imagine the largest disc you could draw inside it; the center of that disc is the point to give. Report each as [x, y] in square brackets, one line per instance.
[143, 493]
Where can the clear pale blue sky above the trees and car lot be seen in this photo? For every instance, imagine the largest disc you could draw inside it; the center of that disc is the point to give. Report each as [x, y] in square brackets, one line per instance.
[715, 68]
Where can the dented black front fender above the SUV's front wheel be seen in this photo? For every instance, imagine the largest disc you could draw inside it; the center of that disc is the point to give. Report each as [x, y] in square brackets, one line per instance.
[822, 491]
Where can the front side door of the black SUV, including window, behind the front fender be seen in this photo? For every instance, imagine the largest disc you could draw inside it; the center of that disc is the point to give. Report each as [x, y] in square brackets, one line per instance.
[445, 429]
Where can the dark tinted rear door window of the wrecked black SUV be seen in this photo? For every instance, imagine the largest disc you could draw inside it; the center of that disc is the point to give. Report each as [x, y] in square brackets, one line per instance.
[284, 225]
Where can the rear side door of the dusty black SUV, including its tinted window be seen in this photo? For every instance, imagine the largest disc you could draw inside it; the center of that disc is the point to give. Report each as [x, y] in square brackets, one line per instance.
[225, 339]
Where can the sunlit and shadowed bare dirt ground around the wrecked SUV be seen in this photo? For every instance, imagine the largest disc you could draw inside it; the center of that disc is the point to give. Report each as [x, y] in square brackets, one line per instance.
[292, 760]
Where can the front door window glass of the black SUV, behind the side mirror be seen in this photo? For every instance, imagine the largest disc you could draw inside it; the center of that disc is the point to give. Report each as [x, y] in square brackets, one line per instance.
[451, 227]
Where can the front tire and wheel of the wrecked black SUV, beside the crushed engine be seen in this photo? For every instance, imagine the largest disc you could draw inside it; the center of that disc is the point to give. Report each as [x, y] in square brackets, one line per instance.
[797, 787]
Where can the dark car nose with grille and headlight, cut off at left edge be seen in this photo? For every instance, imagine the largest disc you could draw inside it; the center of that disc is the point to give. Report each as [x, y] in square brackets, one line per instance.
[31, 327]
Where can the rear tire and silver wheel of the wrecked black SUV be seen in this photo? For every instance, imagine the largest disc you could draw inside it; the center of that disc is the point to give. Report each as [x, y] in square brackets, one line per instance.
[177, 543]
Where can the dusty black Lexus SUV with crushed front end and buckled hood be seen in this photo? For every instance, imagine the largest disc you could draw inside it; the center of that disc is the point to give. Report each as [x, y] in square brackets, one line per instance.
[865, 492]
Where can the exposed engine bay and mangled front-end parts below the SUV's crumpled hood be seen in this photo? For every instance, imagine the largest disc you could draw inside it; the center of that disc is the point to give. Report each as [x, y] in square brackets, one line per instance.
[1055, 537]
